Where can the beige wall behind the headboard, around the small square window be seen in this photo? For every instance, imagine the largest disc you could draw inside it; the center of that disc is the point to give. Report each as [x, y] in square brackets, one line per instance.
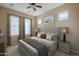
[72, 23]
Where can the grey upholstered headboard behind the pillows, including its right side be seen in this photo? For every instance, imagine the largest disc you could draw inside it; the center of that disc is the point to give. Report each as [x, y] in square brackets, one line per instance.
[55, 30]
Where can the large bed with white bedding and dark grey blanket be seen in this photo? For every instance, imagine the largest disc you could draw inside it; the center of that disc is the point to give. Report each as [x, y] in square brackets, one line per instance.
[36, 46]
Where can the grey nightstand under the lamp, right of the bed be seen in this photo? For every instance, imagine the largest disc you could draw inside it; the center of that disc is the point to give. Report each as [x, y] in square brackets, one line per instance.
[64, 46]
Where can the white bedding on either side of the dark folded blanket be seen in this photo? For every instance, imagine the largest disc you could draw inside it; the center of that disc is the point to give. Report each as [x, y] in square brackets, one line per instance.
[51, 45]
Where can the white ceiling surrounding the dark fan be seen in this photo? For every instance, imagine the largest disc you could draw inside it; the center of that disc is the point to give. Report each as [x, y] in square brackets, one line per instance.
[22, 7]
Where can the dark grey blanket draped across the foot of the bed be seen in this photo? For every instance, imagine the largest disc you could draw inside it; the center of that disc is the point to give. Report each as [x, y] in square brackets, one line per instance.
[41, 48]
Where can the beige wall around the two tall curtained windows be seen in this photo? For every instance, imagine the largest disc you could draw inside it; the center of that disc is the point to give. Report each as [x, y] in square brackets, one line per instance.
[3, 22]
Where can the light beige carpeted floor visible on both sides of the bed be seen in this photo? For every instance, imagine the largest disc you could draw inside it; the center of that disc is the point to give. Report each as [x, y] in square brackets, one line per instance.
[13, 51]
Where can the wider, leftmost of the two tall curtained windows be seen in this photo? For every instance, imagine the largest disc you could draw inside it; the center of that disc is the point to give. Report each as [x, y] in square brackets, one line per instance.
[14, 25]
